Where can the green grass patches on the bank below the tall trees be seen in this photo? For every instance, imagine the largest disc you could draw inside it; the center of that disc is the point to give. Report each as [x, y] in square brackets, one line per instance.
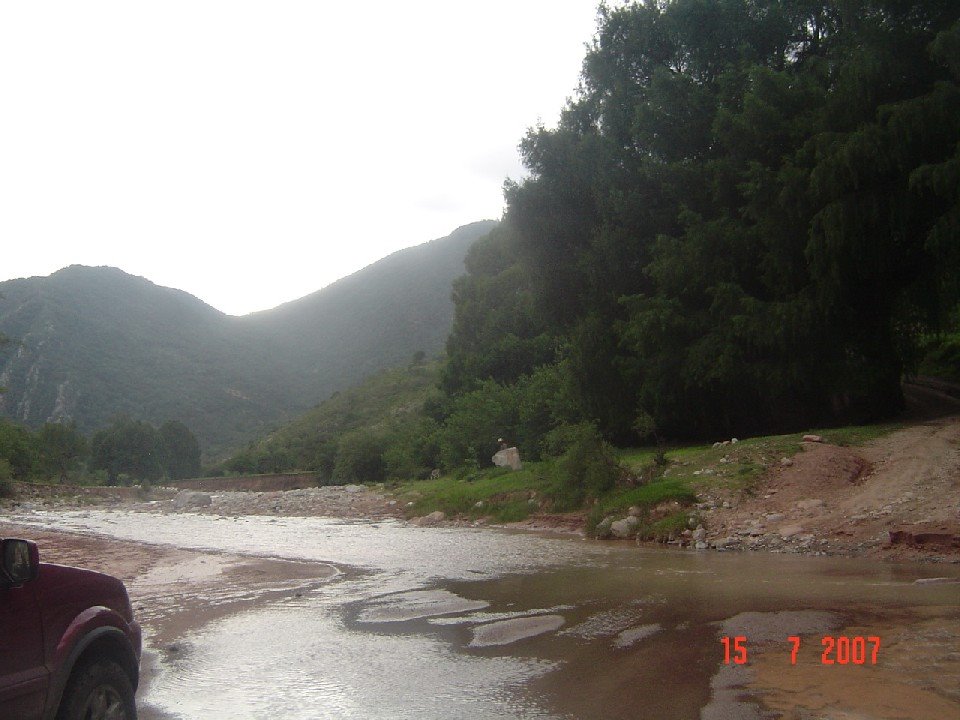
[506, 496]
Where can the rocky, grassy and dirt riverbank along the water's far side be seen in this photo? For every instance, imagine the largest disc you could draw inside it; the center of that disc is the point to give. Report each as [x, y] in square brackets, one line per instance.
[894, 496]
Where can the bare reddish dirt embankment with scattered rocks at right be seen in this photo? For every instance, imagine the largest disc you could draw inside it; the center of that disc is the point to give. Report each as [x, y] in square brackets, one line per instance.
[897, 497]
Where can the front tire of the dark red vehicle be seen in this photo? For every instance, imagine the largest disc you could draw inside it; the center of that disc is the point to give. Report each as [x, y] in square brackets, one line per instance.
[98, 691]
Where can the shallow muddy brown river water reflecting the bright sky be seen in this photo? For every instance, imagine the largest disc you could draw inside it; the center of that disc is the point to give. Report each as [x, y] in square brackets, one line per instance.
[441, 623]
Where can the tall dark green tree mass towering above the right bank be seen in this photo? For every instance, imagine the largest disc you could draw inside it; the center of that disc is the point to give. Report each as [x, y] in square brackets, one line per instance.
[745, 220]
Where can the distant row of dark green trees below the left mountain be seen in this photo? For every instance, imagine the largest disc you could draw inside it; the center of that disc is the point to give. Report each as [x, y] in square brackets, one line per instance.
[127, 451]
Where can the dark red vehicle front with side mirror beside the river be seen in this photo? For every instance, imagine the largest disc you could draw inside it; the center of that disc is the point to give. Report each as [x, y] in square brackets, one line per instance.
[69, 646]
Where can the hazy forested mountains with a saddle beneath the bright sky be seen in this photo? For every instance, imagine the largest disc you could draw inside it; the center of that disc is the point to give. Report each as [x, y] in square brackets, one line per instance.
[95, 342]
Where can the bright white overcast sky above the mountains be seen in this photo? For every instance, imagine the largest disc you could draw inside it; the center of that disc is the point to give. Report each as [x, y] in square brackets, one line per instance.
[252, 152]
